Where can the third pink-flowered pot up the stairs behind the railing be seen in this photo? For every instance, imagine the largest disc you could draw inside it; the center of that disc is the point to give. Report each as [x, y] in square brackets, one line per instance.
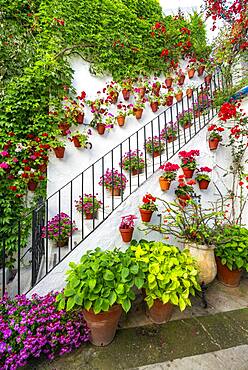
[113, 181]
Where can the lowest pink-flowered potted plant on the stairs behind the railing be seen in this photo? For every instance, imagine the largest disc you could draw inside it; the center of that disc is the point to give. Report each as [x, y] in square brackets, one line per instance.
[59, 228]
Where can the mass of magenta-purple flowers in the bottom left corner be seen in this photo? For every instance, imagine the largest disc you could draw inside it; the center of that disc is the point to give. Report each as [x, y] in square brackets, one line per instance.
[31, 327]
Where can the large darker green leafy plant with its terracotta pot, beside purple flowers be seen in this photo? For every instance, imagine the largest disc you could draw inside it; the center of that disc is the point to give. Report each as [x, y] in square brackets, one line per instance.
[101, 285]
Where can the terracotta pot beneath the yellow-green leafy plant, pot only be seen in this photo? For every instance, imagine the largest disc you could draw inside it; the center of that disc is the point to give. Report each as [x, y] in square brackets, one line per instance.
[160, 313]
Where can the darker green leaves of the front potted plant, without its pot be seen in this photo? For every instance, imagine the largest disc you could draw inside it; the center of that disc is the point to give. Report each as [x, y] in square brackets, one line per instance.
[101, 280]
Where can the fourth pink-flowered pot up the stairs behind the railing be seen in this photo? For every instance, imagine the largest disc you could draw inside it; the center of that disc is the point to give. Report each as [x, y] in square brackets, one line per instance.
[133, 162]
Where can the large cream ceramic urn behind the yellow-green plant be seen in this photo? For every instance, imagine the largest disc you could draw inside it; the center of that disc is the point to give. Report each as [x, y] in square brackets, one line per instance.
[204, 256]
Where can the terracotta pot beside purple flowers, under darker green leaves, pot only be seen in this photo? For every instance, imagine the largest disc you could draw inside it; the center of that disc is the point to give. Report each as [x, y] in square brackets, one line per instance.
[103, 325]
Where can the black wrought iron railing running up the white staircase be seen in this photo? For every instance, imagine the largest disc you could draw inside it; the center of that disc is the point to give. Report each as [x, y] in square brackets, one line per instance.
[43, 256]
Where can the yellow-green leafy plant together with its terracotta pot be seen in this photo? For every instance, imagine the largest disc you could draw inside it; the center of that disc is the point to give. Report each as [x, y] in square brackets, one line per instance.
[170, 278]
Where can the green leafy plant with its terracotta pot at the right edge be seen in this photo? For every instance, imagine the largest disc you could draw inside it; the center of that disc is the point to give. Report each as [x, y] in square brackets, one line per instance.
[231, 254]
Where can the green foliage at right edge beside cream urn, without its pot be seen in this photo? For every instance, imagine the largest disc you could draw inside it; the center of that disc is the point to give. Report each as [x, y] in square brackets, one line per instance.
[232, 247]
